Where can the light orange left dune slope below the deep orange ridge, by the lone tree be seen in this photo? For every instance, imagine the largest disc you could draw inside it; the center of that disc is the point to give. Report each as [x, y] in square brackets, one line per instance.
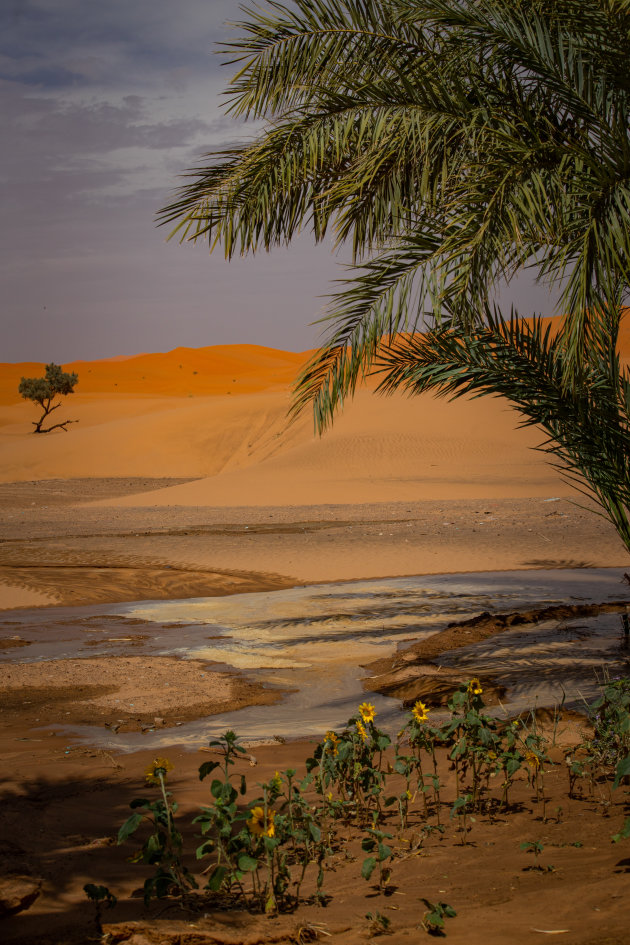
[124, 436]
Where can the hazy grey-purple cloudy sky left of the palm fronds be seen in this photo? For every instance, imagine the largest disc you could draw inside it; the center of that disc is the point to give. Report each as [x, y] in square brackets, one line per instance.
[104, 104]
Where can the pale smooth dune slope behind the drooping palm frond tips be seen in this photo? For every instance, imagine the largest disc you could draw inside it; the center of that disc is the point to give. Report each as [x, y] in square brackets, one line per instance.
[391, 449]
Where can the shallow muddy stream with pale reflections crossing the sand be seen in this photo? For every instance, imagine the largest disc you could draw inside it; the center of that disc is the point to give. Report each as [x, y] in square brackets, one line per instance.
[314, 640]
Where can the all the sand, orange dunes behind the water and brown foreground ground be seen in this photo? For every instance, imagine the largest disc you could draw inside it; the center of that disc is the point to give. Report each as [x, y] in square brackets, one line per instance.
[183, 478]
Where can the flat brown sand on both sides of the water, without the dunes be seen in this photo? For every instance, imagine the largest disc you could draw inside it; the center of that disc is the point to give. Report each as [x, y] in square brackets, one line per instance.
[63, 800]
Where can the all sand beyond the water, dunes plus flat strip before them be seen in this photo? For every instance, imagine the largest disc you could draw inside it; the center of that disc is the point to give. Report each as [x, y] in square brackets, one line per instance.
[160, 473]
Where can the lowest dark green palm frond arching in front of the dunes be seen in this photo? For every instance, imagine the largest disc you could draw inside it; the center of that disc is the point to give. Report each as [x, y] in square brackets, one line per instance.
[587, 426]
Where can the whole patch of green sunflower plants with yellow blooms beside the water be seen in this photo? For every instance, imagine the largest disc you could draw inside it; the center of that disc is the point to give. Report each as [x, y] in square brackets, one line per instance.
[261, 852]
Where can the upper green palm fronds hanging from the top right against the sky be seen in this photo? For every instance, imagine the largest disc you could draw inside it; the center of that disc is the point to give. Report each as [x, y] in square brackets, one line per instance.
[453, 143]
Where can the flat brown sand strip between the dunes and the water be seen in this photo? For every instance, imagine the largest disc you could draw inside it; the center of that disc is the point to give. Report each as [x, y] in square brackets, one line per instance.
[56, 547]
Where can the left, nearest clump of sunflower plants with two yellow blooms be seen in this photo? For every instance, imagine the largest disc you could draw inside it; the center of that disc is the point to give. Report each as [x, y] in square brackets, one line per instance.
[260, 852]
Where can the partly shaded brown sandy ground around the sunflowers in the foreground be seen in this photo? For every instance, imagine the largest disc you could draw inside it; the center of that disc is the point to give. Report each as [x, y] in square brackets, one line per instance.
[60, 822]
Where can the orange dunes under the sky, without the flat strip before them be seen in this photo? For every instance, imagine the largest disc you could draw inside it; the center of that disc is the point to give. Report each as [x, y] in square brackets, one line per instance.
[218, 415]
